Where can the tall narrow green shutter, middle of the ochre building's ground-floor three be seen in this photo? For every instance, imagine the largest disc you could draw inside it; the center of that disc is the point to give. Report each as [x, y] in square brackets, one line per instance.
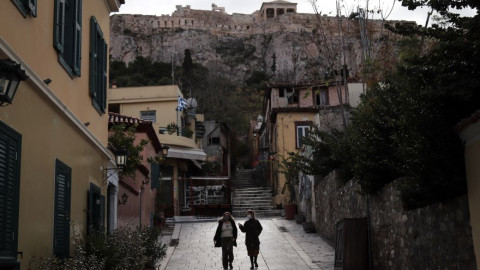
[61, 236]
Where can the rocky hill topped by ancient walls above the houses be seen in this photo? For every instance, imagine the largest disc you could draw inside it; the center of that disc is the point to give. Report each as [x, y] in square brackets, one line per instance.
[290, 47]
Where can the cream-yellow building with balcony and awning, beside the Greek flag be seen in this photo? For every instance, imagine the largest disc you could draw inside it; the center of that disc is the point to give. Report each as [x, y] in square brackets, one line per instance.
[159, 104]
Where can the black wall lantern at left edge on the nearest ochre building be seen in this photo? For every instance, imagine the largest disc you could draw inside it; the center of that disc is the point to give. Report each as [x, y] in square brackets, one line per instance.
[10, 76]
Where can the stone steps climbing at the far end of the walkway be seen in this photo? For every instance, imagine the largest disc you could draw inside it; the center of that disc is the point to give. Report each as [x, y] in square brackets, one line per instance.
[246, 195]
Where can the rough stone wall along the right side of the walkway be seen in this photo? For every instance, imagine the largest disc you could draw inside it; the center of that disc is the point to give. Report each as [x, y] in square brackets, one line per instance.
[434, 237]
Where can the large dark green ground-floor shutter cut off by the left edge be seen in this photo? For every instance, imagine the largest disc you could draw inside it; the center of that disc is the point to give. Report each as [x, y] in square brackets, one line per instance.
[10, 149]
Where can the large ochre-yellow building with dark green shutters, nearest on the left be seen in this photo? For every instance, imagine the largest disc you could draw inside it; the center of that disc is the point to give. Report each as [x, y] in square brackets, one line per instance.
[53, 145]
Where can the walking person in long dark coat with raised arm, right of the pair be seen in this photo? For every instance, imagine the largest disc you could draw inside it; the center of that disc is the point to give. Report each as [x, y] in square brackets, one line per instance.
[252, 229]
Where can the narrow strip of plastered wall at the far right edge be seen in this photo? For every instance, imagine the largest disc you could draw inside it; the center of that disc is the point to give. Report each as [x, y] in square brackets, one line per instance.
[470, 134]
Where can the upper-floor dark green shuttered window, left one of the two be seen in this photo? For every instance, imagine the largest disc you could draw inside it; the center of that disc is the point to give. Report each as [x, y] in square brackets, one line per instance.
[67, 35]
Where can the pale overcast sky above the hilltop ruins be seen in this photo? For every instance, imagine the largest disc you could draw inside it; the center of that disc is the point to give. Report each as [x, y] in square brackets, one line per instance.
[159, 7]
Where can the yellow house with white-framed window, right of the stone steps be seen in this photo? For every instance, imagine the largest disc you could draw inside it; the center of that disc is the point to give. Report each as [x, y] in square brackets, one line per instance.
[289, 112]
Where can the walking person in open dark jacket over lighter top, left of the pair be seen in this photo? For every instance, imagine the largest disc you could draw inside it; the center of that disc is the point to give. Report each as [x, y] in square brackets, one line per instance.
[225, 237]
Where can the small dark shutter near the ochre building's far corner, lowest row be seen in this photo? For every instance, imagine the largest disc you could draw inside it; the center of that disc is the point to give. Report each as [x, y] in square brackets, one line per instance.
[96, 208]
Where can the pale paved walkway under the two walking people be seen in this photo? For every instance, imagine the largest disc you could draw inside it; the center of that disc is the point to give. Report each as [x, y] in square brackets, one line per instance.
[292, 250]
